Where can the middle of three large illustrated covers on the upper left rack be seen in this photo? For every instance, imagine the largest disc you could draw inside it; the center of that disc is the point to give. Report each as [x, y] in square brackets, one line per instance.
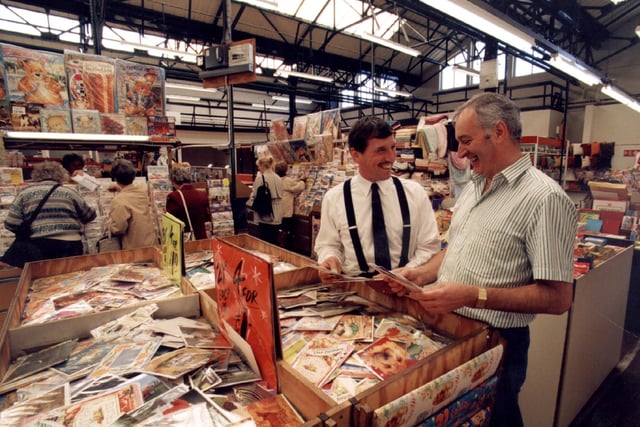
[91, 81]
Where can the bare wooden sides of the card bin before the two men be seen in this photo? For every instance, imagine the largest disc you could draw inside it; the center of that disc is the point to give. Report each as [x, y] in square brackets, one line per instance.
[471, 338]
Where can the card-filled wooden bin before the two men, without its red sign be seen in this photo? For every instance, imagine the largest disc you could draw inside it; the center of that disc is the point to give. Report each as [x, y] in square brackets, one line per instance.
[420, 381]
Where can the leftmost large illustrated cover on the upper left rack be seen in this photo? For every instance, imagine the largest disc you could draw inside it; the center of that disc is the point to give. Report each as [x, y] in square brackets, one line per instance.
[35, 77]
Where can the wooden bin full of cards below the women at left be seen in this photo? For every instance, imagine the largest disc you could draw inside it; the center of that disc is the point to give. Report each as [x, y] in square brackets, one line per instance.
[62, 299]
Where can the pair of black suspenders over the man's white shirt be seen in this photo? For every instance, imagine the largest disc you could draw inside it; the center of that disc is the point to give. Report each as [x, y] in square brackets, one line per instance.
[353, 229]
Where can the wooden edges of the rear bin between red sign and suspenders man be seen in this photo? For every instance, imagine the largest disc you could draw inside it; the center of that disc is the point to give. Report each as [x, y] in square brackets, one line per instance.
[304, 274]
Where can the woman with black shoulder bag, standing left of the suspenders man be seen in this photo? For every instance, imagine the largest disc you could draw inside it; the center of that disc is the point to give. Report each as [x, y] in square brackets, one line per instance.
[270, 224]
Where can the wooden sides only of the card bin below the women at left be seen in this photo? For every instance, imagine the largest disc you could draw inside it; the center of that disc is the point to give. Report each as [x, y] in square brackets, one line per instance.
[16, 339]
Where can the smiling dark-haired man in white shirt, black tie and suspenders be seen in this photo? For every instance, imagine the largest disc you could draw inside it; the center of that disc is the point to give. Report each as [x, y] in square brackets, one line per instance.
[409, 225]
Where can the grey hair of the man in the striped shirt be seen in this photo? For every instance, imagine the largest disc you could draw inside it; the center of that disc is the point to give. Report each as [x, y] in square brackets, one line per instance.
[493, 107]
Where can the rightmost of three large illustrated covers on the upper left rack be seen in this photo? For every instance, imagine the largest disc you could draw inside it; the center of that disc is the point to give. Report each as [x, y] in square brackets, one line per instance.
[139, 89]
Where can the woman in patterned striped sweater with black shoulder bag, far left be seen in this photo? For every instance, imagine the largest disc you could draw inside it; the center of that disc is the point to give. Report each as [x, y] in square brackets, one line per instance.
[57, 229]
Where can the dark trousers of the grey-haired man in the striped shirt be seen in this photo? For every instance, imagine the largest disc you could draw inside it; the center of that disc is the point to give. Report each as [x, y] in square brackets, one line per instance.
[506, 410]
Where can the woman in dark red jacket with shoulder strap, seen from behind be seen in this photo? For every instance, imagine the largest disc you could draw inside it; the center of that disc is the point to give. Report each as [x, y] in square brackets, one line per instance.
[187, 203]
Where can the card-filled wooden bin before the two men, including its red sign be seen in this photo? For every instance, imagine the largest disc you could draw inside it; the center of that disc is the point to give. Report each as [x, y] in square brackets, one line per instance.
[315, 329]
